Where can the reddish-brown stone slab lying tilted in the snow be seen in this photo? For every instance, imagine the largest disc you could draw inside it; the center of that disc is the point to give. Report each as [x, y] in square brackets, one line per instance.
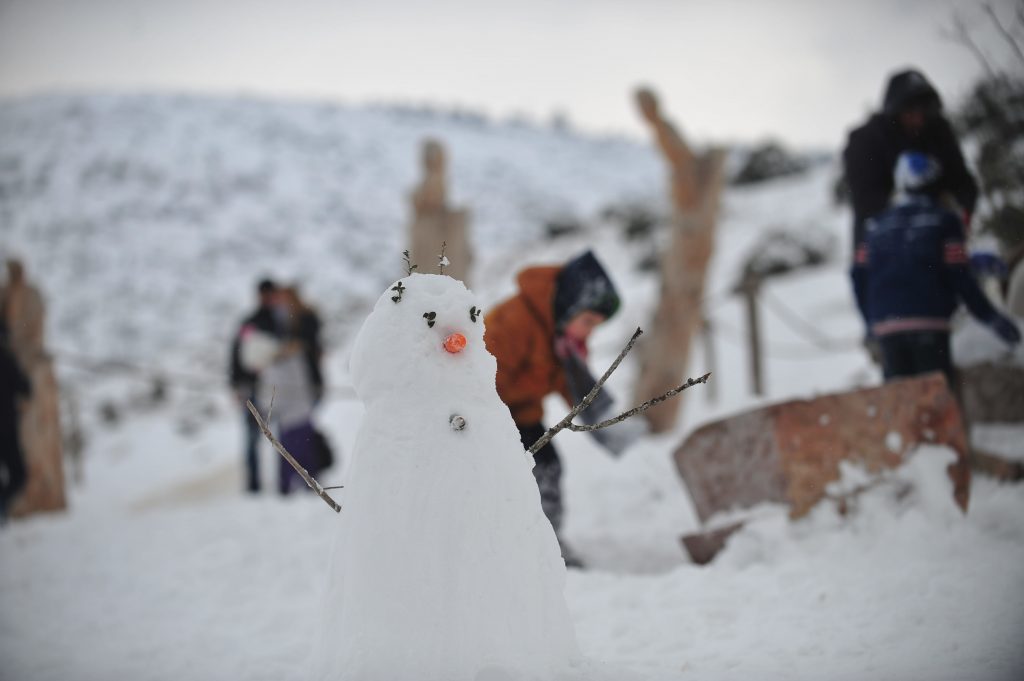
[790, 452]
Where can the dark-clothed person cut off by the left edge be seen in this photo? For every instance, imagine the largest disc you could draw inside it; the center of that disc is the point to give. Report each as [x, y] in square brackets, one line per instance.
[14, 386]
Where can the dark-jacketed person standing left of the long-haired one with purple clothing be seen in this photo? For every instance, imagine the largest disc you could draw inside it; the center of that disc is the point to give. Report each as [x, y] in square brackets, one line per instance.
[245, 382]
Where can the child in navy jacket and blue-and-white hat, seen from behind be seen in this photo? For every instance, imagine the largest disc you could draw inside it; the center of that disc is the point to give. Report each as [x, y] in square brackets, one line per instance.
[911, 273]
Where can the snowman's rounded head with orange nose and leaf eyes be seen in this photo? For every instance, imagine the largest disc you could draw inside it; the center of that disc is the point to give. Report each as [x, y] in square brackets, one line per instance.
[423, 338]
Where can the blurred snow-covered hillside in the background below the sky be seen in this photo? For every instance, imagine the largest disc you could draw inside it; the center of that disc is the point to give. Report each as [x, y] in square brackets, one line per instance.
[148, 220]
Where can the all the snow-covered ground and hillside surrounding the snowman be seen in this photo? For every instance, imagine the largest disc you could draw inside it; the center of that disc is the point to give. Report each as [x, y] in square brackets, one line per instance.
[162, 570]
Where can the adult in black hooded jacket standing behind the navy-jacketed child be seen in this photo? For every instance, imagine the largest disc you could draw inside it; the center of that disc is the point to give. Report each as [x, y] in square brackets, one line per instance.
[911, 119]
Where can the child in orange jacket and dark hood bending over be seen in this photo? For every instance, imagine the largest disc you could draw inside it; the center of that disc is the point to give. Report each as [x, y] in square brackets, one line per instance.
[539, 338]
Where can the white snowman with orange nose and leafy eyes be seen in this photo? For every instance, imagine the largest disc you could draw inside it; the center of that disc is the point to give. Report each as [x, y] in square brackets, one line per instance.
[445, 567]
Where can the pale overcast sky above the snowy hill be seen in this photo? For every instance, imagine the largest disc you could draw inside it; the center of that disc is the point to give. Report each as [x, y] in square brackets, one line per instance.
[803, 71]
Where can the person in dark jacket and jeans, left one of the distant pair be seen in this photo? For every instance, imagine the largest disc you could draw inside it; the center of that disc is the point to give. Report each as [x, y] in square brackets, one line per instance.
[244, 376]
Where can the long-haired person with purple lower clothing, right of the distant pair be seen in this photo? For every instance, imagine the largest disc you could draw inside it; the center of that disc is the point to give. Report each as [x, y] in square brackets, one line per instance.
[292, 381]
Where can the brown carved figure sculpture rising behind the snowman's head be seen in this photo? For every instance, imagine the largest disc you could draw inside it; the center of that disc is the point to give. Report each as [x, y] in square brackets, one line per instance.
[435, 223]
